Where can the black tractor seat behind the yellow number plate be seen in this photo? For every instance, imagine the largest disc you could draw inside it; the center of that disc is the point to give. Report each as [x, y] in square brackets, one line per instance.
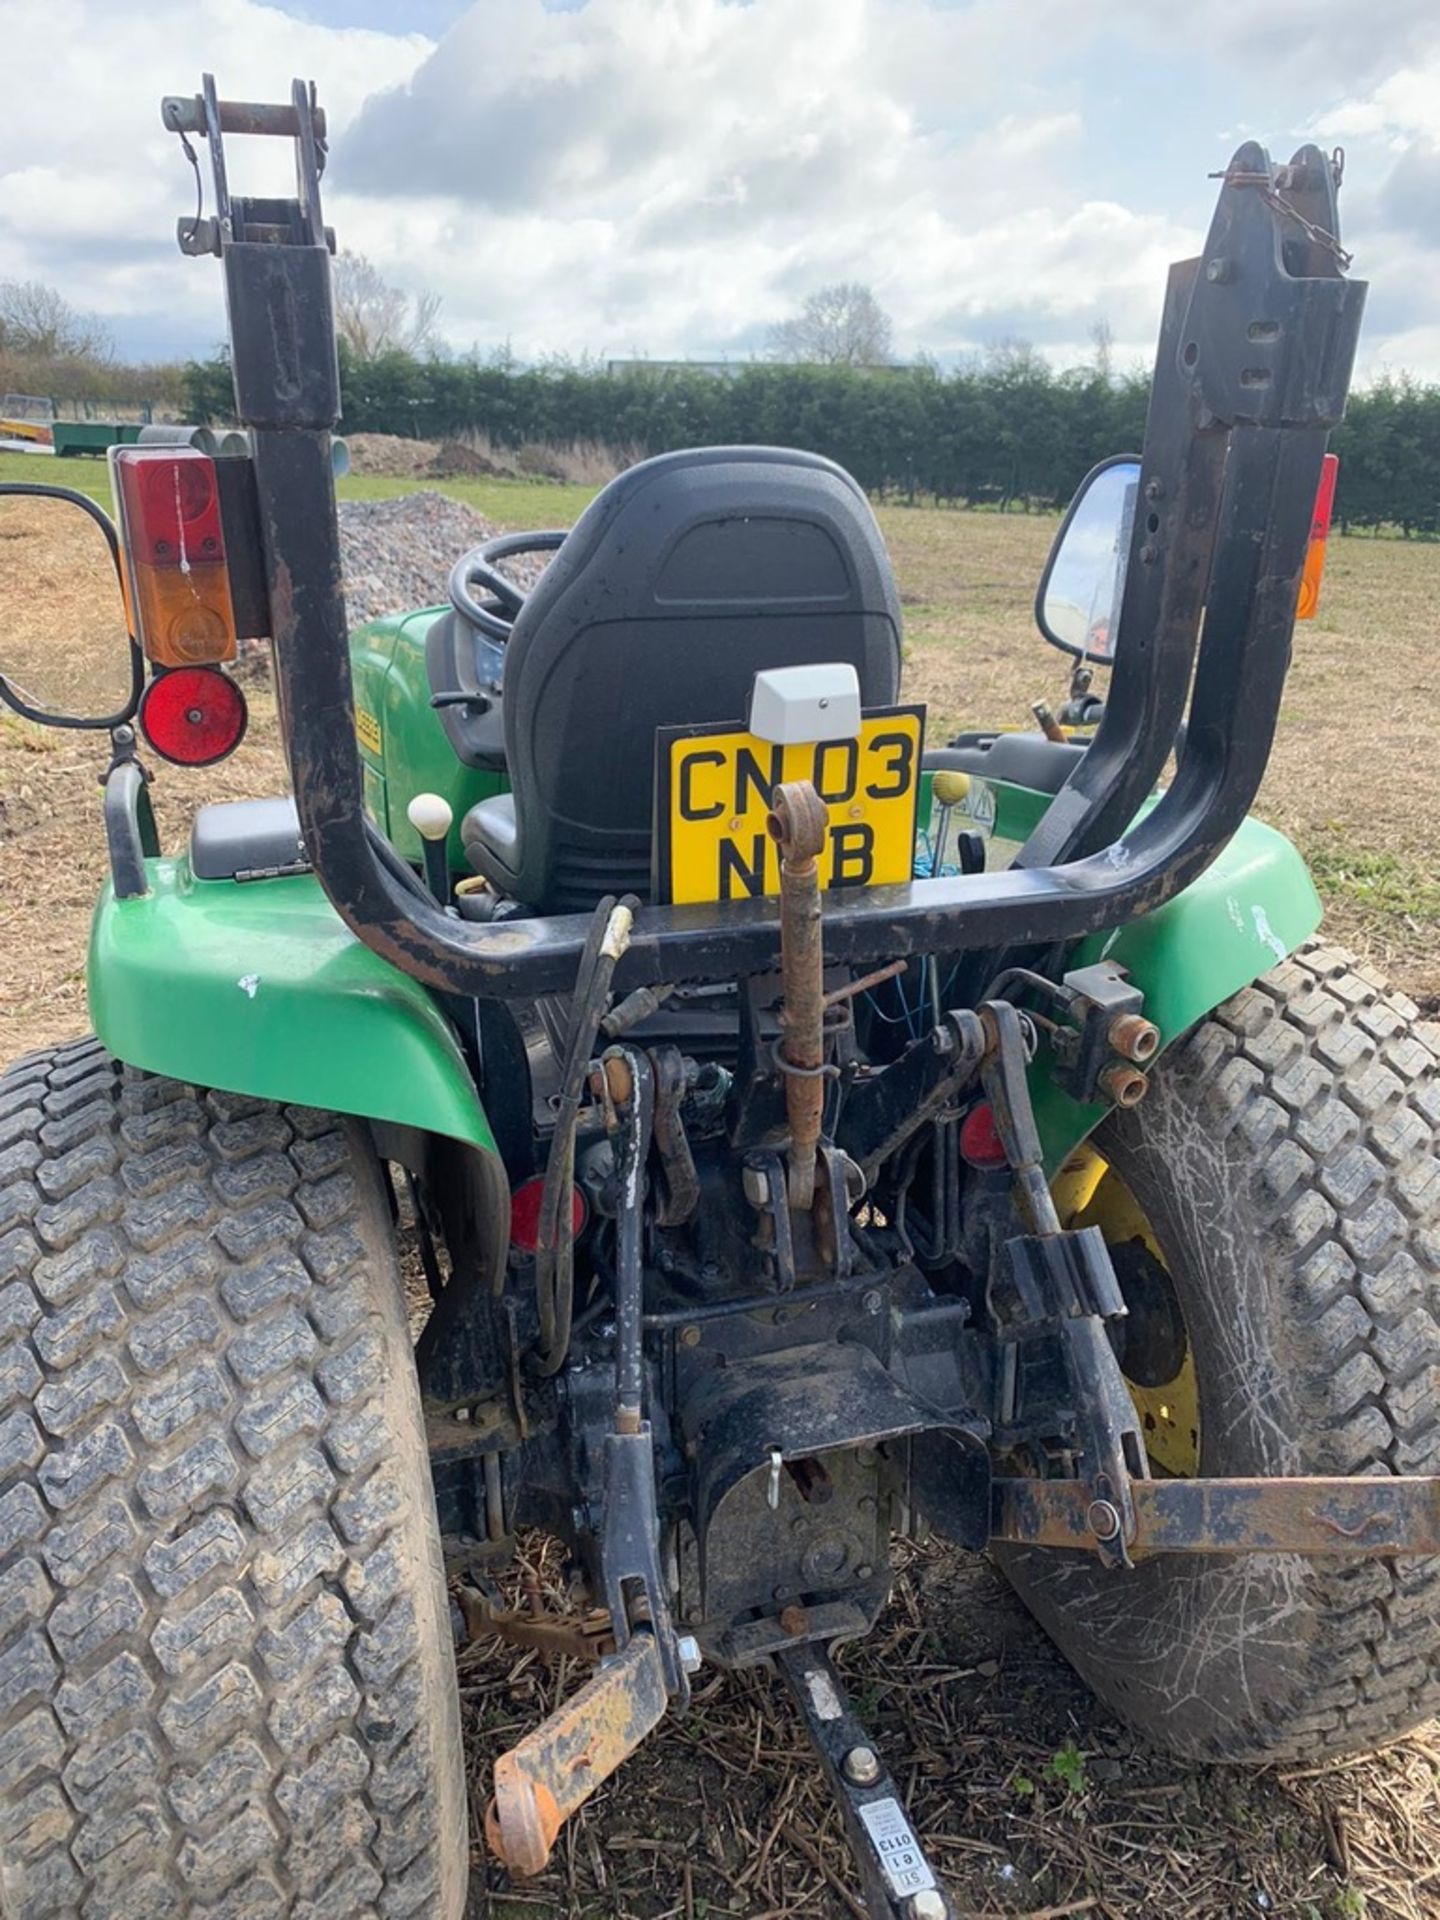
[684, 579]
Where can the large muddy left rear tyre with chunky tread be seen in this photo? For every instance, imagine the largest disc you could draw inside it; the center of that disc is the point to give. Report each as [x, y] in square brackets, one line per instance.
[226, 1668]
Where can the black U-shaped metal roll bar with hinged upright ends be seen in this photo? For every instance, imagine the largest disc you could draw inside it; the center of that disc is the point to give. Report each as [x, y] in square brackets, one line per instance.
[1255, 362]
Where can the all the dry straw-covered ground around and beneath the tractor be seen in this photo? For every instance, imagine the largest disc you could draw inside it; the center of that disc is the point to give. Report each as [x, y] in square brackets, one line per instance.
[1030, 1798]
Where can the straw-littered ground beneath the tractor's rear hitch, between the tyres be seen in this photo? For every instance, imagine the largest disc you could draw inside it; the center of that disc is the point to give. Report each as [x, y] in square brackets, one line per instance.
[1030, 1798]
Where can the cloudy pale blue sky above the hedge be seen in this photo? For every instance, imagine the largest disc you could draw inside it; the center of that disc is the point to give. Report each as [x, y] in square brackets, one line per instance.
[669, 178]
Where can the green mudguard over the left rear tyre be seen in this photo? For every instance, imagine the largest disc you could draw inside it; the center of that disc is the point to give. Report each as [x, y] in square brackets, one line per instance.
[258, 988]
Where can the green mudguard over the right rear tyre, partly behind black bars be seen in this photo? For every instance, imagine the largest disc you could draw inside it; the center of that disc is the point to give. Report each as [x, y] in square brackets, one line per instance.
[1253, 907]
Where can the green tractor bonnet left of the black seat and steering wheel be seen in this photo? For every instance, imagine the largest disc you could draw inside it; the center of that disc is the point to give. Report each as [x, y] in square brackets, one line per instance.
[404, 750]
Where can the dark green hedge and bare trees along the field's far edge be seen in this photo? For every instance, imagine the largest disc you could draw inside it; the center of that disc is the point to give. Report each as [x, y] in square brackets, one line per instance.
[1007, 431]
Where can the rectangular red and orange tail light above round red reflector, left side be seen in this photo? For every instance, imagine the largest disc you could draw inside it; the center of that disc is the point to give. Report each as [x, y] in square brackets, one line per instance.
[180, 585]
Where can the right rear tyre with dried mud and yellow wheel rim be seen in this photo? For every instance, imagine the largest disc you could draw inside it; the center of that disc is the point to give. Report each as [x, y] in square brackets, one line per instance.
[1287, 1164]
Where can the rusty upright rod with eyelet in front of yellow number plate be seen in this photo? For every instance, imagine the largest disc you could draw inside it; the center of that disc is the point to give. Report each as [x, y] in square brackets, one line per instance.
[798, 823]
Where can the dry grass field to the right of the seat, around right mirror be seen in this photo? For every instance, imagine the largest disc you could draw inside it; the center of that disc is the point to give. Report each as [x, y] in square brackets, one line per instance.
[1355, 777]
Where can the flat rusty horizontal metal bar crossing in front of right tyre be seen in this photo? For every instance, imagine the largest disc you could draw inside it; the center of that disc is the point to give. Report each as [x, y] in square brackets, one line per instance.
[1312, 1516]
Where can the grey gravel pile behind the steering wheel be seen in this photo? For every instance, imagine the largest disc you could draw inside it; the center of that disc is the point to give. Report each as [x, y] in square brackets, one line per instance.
[398, 554]
